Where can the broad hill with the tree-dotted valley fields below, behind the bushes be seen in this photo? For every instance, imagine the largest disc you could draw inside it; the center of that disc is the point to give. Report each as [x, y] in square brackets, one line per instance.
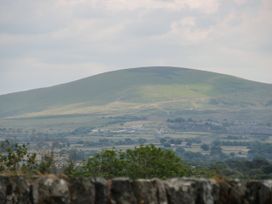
[202, 116]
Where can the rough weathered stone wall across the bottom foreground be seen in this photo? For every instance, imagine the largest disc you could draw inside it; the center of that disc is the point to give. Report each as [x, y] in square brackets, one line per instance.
[53, 189]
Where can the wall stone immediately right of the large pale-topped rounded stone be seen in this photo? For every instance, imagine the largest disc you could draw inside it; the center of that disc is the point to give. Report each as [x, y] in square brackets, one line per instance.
[82, 190]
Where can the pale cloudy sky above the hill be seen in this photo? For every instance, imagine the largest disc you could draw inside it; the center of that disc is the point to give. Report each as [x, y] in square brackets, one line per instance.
[43, 43]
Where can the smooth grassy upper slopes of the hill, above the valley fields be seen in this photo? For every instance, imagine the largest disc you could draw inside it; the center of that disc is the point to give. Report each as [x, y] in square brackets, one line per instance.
[140, 89]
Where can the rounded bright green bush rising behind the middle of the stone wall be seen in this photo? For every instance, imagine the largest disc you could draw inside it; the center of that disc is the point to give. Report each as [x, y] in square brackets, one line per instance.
[140, 162]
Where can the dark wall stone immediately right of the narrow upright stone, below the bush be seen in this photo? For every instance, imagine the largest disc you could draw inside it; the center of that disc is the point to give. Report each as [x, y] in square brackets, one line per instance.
[122, 191]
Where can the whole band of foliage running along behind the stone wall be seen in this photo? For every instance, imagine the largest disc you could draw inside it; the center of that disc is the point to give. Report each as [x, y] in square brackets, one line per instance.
[141, 162]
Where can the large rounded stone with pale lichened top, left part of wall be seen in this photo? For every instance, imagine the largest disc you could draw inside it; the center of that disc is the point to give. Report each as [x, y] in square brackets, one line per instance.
[50, 189]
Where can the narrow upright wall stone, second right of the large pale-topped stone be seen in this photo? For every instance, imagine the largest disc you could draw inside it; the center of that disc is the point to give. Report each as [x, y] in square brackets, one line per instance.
[102, 192]
